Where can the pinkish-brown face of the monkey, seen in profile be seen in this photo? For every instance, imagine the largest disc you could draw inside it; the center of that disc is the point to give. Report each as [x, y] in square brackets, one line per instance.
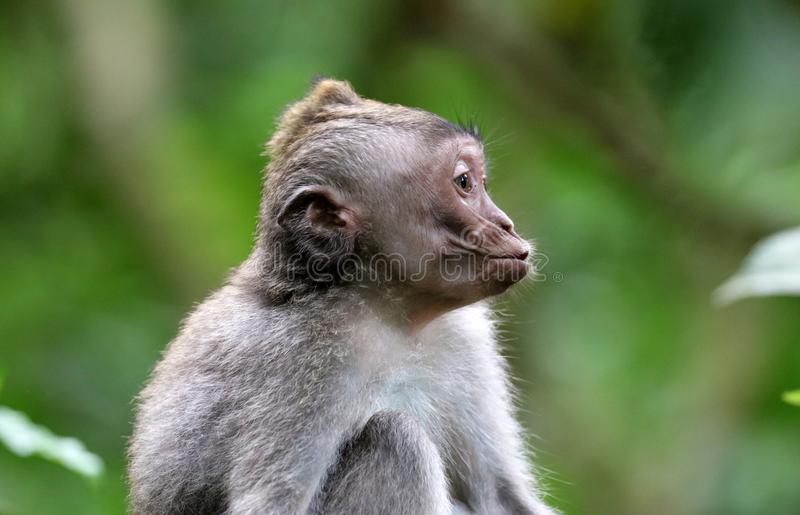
[462, 246]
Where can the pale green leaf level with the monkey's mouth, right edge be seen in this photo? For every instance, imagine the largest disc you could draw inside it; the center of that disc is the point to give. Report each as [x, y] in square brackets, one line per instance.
[772, 268]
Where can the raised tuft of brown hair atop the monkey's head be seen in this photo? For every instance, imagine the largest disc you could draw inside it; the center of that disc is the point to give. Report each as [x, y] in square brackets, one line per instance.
[325, 92]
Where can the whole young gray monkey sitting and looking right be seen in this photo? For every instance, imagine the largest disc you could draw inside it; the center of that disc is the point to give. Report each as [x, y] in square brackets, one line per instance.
[349, 365]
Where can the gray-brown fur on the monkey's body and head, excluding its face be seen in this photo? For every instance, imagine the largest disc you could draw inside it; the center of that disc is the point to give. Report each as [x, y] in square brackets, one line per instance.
[285, 395]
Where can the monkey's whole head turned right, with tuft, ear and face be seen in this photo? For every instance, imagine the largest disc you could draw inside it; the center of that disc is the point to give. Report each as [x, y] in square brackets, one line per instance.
[384, 197]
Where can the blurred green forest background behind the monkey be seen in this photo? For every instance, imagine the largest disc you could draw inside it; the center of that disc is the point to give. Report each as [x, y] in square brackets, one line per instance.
[645, 144]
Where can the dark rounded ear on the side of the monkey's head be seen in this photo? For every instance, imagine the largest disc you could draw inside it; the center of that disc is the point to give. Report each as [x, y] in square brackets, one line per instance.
[323, 209]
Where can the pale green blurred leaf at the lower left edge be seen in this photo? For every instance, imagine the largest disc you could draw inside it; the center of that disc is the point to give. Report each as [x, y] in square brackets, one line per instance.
[25, 438]
